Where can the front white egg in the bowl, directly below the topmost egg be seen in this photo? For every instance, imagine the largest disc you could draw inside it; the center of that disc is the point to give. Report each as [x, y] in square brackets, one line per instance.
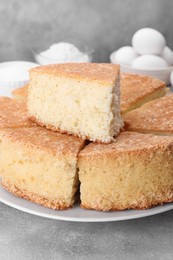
[149, 62]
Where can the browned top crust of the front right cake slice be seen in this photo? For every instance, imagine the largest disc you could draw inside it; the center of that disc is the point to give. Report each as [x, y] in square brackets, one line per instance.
[128, 142]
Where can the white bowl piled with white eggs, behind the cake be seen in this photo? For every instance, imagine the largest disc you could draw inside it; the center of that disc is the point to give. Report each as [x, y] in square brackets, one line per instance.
[148, 55]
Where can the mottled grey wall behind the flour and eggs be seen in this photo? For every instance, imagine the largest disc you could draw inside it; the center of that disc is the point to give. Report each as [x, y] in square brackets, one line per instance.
[105, 25]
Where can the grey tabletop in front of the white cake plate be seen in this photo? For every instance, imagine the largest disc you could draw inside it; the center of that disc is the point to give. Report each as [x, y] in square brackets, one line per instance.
[25, 236]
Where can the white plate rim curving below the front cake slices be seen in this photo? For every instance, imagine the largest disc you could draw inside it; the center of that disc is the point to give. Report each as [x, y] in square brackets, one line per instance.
[135, 214]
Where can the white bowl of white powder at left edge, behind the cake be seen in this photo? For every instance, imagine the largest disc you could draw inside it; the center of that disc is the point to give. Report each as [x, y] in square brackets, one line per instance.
[13, 80]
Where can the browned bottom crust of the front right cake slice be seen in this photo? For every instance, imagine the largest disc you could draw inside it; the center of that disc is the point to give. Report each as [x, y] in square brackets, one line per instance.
[136, 205]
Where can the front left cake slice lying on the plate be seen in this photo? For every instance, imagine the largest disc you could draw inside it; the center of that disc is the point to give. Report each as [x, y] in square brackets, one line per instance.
[40, 165]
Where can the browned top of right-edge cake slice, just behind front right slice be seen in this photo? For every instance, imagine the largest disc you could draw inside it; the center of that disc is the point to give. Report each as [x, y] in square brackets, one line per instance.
[156, 115]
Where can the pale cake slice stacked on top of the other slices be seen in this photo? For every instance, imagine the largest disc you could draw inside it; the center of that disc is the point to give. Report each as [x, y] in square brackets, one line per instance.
[77, 98]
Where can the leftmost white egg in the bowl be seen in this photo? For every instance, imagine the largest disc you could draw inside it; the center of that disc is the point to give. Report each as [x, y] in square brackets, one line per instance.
[125, 55]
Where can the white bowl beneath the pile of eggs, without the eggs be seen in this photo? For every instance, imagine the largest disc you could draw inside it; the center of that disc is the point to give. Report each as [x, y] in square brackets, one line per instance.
[161, 73]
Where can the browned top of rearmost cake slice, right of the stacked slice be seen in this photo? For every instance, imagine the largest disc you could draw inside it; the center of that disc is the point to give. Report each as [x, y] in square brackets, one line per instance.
[135, 87]
